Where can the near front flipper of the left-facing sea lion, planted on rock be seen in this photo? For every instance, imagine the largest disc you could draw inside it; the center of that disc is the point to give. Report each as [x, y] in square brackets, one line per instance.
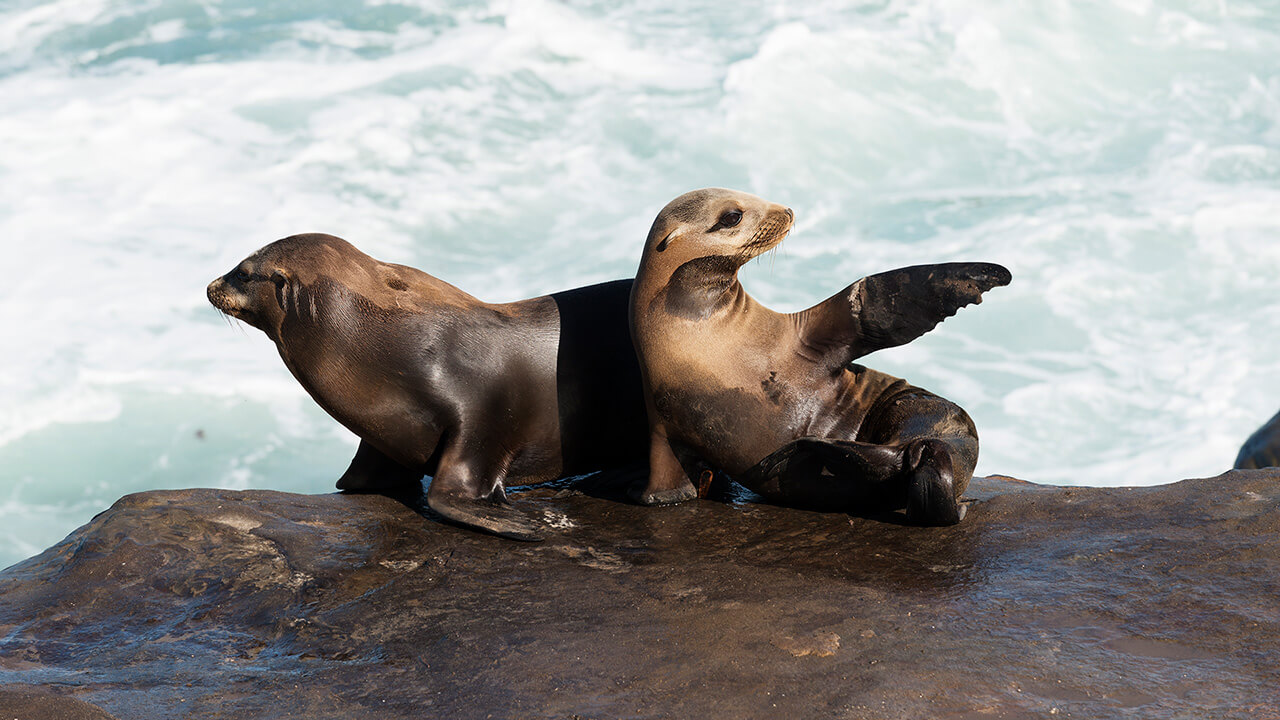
[468, 490]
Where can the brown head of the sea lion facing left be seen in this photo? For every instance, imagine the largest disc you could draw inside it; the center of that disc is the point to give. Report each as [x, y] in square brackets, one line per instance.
[282, 280]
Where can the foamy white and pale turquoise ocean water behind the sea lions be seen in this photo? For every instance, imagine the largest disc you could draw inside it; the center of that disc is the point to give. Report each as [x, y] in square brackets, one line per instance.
[1123, 160]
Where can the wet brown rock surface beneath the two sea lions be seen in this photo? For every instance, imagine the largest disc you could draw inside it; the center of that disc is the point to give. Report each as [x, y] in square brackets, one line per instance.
[1067, 603]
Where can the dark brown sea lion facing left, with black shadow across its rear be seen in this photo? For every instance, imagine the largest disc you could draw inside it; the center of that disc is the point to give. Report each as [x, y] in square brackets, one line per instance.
[438, 384]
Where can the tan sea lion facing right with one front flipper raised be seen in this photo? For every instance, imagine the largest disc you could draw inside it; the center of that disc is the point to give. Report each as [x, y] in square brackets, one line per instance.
[774, 399]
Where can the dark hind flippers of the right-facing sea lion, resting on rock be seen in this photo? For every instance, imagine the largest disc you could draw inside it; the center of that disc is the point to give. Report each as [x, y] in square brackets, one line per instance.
[833, 475]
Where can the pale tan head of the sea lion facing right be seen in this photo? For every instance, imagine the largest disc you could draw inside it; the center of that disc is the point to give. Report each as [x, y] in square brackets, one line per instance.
[716, 224]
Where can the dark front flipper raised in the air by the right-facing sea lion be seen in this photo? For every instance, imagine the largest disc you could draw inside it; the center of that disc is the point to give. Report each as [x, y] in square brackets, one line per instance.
[892, 309]
